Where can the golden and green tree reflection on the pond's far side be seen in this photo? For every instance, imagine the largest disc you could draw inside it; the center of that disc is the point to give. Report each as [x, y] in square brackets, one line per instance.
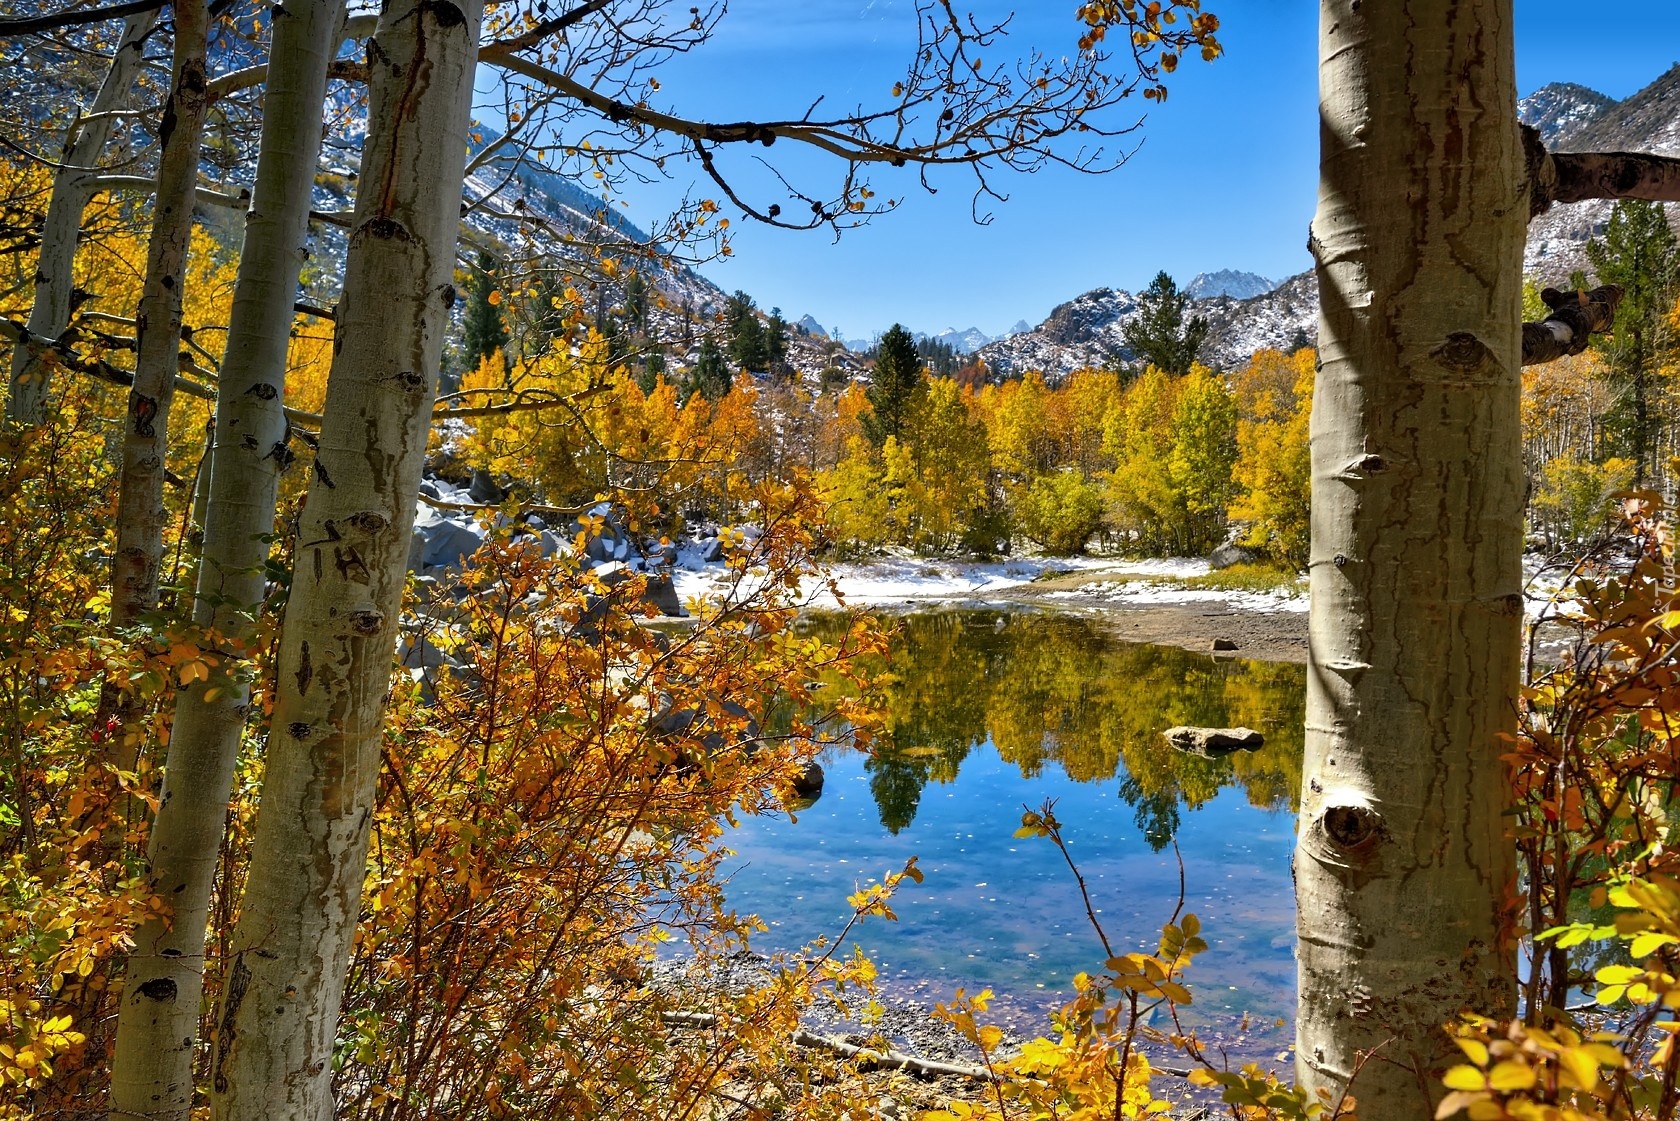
[1054, 690]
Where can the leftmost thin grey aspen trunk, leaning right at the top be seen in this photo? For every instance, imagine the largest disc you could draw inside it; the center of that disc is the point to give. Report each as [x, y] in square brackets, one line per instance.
[71, 192]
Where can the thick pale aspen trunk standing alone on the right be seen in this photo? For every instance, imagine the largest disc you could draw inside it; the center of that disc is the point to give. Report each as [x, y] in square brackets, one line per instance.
[1404, 871]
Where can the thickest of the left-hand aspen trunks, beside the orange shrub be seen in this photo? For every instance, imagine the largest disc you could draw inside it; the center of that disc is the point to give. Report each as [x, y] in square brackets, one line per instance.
[291, 949]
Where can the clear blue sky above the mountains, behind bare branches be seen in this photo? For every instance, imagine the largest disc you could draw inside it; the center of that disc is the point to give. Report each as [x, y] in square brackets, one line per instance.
[1224, 177]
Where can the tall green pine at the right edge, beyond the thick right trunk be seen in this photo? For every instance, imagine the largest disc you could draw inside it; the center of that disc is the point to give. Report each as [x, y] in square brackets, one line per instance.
[1642, 255]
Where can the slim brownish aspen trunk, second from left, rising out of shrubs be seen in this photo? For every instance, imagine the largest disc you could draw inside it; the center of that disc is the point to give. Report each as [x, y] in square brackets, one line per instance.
[140, 517]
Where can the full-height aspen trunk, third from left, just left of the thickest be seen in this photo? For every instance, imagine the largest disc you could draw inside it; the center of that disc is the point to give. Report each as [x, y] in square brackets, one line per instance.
[159, 1026]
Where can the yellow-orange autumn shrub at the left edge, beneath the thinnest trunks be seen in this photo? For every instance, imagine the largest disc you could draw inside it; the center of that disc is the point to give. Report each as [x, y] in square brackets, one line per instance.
[71, 797]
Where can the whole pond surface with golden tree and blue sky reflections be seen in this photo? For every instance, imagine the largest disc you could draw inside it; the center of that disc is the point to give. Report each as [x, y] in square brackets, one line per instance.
[1000, 710]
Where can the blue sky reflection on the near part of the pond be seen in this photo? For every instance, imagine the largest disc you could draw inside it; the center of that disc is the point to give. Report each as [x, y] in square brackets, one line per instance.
[1004, 913]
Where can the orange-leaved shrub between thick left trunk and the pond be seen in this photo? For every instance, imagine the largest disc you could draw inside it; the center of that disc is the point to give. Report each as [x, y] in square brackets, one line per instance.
[554, 811]
